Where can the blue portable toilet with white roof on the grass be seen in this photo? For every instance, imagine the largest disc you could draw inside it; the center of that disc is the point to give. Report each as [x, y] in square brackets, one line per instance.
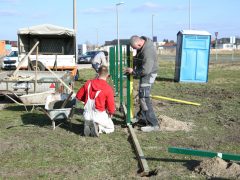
[192, 56]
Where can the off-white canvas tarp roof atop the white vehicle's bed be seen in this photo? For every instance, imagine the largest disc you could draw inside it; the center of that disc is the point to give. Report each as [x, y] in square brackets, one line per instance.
[46, 29]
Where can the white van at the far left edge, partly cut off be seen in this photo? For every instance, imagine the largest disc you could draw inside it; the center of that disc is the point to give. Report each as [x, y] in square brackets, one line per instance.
[11, 61]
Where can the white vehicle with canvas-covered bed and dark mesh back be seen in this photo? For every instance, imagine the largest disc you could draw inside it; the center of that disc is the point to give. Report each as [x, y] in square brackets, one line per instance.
[56, 49]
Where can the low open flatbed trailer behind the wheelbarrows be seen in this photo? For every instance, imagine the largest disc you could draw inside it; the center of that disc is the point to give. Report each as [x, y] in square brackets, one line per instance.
[26, 82]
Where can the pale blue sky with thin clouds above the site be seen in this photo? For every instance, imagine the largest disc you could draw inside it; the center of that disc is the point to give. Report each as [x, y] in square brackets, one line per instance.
[97, 19]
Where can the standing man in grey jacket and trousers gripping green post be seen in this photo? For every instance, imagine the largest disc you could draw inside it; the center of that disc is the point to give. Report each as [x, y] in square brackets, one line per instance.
[146, 66]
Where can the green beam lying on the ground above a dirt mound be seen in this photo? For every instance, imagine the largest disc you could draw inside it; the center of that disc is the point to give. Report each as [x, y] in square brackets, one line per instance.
[203, 153]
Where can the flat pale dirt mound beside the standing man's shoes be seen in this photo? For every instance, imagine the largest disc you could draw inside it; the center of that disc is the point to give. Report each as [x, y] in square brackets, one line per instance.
[169, 124]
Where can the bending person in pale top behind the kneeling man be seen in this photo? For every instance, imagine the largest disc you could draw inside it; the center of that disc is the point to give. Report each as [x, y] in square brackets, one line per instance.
[100, 59]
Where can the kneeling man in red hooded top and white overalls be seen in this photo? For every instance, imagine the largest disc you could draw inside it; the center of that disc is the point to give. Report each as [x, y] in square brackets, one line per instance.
[104, 103]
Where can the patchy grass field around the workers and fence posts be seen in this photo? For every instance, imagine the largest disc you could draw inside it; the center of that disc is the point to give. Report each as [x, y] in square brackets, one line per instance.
[30, 149]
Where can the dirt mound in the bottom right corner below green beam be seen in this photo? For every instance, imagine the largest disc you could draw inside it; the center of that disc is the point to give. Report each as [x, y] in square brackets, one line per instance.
[218, 168]
